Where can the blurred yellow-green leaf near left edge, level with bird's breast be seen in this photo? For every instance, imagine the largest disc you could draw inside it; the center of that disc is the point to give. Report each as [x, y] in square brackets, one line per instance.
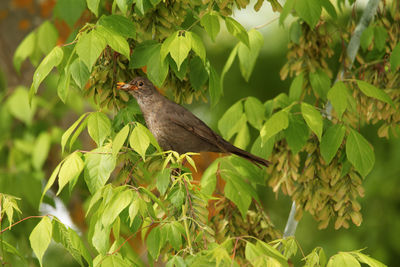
[18, 105]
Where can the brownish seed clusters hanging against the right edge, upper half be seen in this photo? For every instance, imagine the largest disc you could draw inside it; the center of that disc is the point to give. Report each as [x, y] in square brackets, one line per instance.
[378, 73]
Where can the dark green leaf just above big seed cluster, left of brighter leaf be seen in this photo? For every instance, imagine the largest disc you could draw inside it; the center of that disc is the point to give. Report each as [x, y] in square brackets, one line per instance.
[331, 142]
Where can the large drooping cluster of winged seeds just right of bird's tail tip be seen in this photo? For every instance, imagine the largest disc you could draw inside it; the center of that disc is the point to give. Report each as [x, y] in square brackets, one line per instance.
[327, 192]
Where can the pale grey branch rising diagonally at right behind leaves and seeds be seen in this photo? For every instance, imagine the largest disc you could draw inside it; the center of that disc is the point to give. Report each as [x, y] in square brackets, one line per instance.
[352, 49]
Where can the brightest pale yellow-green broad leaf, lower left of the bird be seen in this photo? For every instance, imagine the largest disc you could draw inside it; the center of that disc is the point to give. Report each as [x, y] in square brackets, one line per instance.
[72, 167]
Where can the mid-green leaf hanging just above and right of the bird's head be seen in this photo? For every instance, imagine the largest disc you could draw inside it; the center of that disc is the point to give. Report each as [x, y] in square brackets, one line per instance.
[157, 68]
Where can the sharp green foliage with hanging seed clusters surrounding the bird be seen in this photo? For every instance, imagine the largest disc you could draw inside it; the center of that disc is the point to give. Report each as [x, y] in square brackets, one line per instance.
[310, 135]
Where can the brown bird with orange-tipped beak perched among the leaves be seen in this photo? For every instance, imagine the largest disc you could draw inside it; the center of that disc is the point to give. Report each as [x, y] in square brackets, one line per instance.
[176, 128]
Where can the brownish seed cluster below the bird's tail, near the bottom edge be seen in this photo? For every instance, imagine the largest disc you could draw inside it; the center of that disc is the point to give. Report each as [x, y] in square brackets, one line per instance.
[228, 222]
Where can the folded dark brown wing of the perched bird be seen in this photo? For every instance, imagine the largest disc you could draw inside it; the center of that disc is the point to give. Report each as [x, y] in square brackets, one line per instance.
[188, 121]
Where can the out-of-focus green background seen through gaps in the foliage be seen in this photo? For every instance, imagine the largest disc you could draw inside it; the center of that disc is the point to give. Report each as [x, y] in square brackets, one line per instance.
[379, 232]
